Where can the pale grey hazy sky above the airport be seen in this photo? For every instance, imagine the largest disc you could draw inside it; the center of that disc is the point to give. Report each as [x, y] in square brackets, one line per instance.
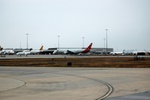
[127, 21]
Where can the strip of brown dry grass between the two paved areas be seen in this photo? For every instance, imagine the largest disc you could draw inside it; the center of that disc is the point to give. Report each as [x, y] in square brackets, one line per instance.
[118, 62]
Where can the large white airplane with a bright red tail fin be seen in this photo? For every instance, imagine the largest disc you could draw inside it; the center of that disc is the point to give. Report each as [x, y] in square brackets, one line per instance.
[73, 51]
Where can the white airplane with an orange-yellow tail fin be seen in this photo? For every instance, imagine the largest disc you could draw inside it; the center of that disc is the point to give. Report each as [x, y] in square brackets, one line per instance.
[27, 52]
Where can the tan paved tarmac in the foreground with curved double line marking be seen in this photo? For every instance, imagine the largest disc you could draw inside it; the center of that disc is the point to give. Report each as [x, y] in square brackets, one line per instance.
[32, 83]
